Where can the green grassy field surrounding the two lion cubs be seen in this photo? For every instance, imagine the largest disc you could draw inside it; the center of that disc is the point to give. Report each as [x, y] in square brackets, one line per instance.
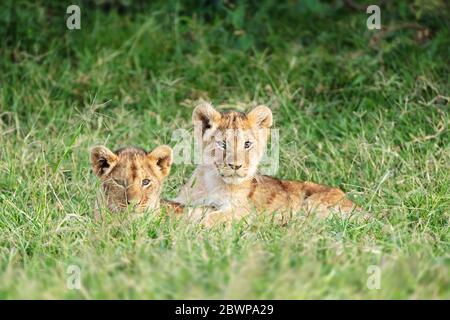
[364, 110]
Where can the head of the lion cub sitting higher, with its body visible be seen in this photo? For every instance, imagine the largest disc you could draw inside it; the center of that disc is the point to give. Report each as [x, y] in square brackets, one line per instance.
[233, 142]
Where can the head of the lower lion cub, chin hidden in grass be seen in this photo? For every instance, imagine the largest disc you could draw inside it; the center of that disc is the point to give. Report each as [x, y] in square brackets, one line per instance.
[131, 176]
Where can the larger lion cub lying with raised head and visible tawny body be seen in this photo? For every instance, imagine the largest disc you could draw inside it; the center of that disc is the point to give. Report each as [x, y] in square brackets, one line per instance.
[233, 145]
